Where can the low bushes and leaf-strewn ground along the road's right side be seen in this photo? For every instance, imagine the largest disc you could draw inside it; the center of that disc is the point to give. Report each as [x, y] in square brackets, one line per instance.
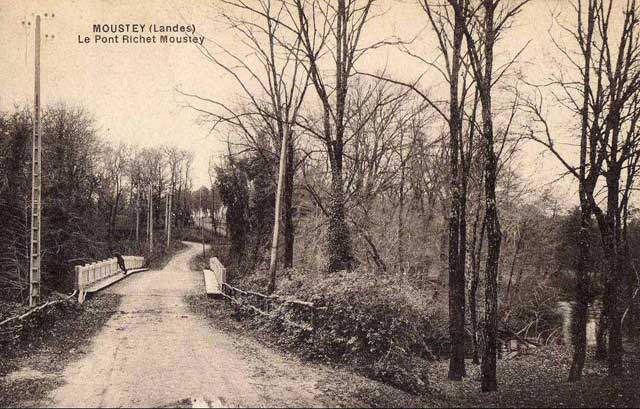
[377, 329]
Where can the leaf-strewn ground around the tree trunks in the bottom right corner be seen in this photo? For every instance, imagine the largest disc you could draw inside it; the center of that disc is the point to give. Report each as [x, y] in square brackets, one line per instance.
[538, 378]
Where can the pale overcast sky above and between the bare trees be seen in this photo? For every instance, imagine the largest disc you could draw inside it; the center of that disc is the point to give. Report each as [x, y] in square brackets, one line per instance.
[130, 89]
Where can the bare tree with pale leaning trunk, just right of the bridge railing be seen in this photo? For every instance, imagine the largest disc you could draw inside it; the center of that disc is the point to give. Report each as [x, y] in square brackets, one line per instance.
[279, 77]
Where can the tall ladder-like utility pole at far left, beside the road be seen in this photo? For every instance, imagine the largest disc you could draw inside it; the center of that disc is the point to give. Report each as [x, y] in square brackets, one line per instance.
[36, 185]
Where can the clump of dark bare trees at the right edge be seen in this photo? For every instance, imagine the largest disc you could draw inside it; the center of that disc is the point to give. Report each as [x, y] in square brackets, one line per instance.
[606, 101]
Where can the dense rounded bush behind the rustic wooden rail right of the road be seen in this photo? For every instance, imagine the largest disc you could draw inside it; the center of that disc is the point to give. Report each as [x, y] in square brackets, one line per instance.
[382, 329]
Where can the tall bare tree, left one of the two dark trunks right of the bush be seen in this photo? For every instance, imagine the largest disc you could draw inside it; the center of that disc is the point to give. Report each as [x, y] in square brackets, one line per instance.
[447, 20]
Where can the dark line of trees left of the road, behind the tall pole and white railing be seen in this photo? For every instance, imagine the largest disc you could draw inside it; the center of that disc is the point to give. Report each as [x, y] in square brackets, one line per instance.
[96, 196]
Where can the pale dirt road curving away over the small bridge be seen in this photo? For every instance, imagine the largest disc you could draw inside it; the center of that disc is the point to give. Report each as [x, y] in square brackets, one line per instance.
[155, 353]
